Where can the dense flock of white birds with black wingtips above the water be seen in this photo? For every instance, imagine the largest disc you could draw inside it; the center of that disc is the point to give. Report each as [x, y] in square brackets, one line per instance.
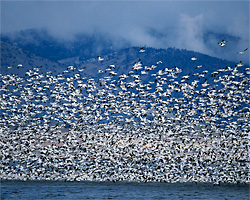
[121, 127]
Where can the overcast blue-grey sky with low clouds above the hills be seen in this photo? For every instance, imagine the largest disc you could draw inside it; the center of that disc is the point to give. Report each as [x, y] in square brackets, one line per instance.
[180, 24]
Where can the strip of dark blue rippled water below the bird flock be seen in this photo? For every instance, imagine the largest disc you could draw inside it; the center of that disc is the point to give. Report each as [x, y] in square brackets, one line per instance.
[120, 190]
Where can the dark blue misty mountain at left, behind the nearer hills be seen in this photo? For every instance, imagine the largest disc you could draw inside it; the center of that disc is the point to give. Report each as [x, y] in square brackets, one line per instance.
[42, 43]
